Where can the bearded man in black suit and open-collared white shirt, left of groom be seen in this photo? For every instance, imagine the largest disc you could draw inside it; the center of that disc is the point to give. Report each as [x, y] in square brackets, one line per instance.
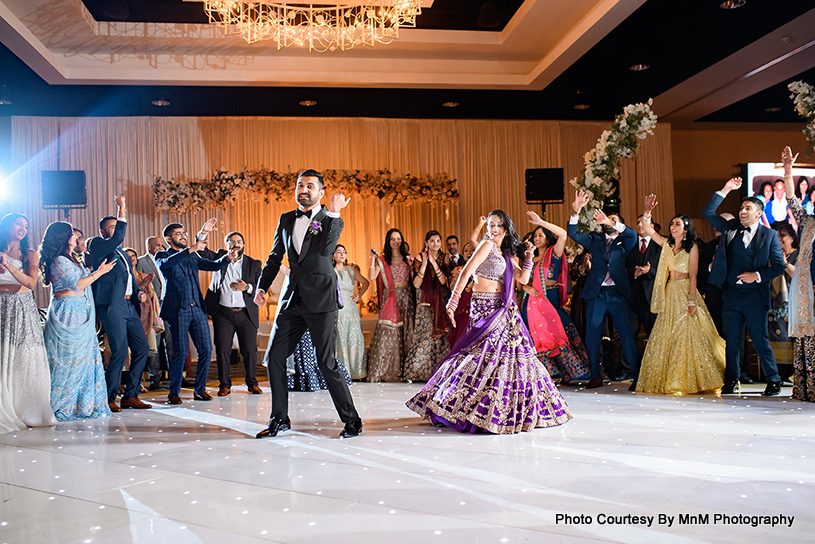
[230, 305]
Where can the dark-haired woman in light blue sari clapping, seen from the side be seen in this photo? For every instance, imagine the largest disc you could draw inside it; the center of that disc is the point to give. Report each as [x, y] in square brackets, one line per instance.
[78, 387]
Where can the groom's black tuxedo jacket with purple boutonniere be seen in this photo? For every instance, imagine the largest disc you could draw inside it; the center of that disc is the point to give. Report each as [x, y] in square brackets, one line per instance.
[311, 273]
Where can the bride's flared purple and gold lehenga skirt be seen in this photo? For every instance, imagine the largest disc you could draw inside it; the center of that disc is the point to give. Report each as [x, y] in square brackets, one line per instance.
[492, 380]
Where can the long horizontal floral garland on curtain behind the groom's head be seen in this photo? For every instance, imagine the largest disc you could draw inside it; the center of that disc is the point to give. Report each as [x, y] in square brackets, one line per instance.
[179, 195]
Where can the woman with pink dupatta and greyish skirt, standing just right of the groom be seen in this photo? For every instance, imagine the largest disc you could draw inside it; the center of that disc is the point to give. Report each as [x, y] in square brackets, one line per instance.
[393, 334]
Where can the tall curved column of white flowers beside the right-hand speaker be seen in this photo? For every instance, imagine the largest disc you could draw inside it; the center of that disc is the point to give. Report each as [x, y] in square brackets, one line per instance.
[602, 164]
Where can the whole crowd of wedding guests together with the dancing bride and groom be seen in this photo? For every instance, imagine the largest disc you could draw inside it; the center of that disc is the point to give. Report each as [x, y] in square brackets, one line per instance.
[694, 301]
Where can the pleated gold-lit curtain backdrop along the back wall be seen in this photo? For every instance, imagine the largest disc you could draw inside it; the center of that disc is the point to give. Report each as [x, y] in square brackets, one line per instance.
[122, 155]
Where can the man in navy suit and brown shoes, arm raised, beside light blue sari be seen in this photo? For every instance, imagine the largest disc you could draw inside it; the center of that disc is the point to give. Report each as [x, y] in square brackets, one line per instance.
[116, 296]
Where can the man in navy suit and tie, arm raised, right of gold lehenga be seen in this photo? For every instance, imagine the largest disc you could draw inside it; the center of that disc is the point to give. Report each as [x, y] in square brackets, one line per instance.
[748, 257]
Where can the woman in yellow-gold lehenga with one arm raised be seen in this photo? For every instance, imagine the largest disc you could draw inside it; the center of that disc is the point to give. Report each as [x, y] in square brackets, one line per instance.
[684, 354]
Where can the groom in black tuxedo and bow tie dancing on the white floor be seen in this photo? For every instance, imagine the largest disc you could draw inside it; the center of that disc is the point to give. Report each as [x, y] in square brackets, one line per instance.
[309, 299]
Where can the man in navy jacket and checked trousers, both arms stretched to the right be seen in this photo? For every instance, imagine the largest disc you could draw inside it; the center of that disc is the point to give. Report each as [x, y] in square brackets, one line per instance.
[183, 309]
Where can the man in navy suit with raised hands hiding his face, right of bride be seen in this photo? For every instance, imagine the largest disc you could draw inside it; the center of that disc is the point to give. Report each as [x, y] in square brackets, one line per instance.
[606, 290]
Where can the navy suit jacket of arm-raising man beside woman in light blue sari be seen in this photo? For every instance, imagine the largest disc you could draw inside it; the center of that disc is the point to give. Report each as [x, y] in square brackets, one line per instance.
[110, 288]
